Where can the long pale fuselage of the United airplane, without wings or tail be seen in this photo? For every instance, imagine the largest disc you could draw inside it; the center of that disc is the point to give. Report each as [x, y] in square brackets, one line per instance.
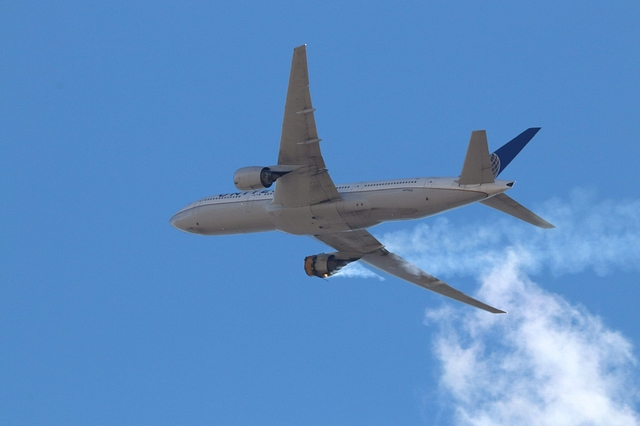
[362, 205]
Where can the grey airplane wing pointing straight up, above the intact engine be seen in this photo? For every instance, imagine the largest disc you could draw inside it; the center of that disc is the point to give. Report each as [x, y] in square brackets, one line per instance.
[309, 183]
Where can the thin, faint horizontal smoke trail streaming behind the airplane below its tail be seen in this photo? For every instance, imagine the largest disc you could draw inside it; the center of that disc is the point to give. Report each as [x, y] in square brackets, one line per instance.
[601, 235]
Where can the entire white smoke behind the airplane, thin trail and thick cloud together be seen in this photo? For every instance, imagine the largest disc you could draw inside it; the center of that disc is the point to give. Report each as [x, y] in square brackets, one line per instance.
[547, 362]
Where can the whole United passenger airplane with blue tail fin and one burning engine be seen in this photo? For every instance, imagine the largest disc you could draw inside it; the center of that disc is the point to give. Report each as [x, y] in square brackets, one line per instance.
[305, 200]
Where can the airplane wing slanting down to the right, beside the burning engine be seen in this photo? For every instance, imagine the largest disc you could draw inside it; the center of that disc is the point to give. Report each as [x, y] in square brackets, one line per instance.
[362, 243]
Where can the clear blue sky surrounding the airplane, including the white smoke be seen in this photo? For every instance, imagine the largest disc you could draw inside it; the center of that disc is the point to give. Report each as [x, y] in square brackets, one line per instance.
[116, 115]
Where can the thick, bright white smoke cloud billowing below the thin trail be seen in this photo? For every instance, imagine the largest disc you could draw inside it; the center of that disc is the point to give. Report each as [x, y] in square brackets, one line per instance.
[547, 362]
